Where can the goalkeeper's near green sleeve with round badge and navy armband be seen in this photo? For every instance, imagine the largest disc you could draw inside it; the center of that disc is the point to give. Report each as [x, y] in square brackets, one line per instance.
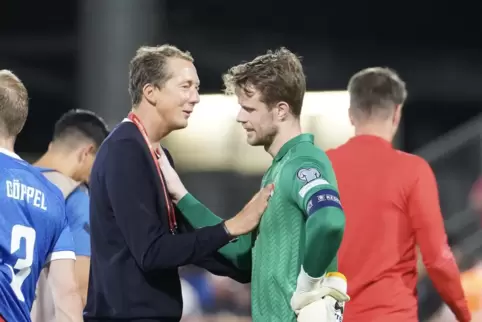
[314, 189]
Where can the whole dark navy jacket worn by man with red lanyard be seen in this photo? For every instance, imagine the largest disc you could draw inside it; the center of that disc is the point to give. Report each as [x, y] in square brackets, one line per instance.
[135, 259]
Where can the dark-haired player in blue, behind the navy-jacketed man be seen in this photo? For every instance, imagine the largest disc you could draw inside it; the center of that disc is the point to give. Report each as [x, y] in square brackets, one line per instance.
[67, 163]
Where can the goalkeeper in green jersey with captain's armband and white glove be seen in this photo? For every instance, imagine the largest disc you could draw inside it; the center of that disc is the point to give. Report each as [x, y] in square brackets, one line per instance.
[293, 253]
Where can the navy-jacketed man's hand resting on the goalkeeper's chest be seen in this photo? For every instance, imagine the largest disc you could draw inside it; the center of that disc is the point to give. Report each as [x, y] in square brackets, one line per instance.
[249, 217]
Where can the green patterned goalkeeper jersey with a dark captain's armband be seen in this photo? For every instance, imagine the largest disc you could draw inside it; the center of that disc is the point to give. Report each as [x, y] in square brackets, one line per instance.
[304, 184]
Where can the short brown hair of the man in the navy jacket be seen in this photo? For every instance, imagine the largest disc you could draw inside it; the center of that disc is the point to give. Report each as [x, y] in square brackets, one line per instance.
[149, 66]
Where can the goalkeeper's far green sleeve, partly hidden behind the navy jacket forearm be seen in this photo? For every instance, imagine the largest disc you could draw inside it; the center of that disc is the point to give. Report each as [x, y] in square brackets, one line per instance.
[198, 216]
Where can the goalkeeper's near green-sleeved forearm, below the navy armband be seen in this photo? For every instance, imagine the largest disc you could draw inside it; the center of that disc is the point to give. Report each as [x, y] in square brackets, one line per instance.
[324, 232]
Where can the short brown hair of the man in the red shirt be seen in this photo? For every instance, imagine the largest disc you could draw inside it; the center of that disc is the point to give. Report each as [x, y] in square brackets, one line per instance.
[376, 91]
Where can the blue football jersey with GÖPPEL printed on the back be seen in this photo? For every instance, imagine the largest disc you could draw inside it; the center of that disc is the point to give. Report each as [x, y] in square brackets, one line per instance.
[33, 231]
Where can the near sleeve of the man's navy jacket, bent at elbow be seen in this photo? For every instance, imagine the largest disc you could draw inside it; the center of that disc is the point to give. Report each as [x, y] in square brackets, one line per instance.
[132, 194]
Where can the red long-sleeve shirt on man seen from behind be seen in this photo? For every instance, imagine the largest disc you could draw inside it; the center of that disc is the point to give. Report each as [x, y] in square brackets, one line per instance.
[391, 205]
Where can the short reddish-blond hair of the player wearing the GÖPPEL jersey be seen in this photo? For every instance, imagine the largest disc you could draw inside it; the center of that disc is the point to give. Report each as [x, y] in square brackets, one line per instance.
[13, 104]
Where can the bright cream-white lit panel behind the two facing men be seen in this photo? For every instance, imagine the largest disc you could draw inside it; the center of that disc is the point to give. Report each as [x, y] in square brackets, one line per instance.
[214, 141]
